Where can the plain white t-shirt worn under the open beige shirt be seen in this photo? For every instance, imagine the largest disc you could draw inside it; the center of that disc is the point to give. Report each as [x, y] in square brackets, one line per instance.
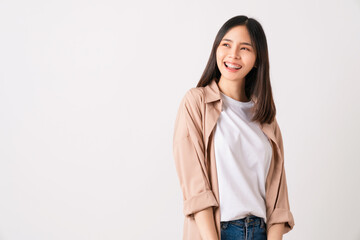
[243, 154]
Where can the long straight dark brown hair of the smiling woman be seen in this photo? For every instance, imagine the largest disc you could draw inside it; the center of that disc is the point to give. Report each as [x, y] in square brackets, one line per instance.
[257, 81]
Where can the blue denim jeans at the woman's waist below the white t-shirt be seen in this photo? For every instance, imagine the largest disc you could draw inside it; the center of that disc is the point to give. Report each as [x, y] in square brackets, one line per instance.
[248, 228]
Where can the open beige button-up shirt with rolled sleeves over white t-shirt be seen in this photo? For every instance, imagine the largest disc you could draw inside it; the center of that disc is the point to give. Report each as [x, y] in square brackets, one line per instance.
[194, 155]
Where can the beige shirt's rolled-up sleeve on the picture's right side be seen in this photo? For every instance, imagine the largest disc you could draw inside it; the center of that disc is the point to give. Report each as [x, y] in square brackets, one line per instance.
[282, 213]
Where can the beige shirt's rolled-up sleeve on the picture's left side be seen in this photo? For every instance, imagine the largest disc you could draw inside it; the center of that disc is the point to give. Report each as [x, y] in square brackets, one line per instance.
[189, 156]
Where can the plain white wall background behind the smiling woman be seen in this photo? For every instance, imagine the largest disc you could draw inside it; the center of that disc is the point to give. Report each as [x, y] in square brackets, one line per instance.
[88, 96]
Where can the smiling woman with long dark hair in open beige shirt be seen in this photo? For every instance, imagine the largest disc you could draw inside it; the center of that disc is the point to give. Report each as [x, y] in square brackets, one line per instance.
[227, 144]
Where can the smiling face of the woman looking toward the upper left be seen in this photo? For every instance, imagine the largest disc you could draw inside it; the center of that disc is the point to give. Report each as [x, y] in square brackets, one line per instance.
[235, 56]
